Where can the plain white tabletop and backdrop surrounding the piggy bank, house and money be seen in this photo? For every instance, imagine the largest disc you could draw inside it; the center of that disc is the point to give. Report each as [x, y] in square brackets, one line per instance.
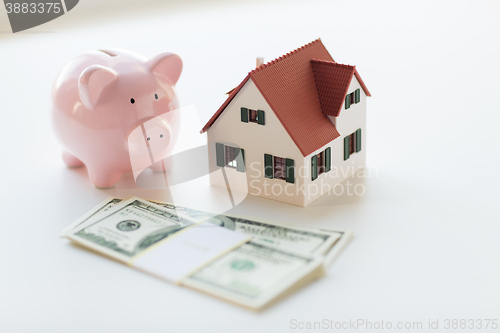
[427, 229]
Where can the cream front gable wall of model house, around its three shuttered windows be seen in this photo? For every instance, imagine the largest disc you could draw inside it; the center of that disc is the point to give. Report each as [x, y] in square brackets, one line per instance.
[256, 140]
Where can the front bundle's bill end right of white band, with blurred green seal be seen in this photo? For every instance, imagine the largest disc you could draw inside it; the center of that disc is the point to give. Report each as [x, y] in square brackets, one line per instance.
[254, 275]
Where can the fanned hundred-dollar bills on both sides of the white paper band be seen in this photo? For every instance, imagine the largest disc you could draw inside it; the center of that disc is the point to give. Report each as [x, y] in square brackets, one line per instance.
[276, 259]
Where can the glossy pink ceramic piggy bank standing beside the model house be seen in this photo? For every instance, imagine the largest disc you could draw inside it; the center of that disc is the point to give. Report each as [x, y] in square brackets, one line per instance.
[113, 112]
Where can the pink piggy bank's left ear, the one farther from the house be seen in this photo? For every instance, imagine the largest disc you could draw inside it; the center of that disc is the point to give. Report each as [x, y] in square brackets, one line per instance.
[92, 82]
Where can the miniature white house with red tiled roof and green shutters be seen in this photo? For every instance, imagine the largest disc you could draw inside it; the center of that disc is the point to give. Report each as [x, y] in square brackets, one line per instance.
[292, 129]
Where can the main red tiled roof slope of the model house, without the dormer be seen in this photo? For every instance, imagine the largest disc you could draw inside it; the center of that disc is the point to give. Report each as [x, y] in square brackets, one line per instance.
[289, 87]
